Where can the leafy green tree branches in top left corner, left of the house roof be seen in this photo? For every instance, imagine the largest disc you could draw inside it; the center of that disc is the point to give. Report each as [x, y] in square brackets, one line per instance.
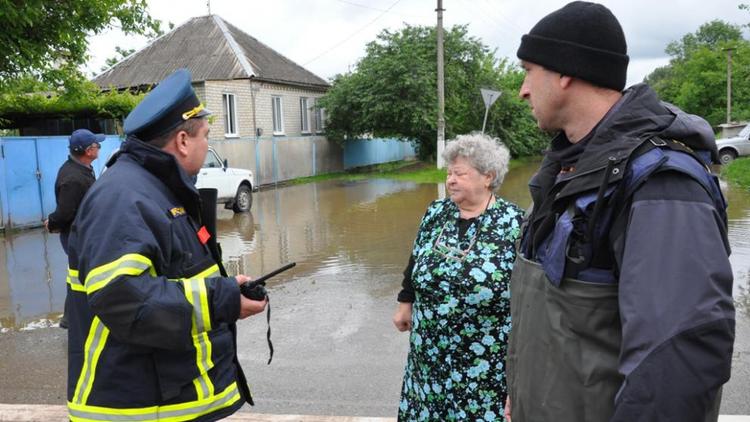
[49, 39]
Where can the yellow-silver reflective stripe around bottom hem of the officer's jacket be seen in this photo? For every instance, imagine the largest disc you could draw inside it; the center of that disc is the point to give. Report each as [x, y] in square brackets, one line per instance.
[170, 413]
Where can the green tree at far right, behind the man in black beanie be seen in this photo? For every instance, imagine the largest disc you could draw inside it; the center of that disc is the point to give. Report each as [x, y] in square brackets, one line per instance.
[696, 77]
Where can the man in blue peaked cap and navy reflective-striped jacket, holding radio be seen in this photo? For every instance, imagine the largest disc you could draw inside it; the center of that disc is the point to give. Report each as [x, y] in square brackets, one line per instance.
[152, 313]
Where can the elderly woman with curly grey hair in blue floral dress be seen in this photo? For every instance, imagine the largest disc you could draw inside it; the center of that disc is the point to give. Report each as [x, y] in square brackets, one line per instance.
[455, 297]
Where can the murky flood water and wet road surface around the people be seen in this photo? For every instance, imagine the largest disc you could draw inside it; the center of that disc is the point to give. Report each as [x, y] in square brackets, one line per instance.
[331, 314]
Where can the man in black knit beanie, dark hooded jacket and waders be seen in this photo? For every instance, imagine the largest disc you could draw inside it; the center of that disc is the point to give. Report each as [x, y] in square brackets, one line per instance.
[621, 295]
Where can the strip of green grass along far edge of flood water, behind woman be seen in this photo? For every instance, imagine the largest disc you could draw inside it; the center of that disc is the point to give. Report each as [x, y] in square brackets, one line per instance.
[410, 171]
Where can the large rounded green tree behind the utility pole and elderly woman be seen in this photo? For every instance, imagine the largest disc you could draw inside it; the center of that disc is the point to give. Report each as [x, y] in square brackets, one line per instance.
[393, 92]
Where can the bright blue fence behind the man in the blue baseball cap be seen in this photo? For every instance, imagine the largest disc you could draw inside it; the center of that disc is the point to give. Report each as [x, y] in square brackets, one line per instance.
[28, 168]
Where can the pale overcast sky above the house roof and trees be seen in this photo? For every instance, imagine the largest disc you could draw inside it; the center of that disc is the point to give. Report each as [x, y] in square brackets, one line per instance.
[328, 36]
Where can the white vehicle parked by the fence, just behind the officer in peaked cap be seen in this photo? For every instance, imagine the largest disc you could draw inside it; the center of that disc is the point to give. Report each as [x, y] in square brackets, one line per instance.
[235, 185]
